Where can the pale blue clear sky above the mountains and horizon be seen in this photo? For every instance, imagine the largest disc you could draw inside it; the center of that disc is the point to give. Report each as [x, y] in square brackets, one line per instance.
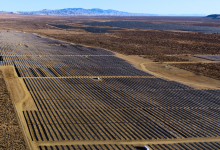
[134, 6]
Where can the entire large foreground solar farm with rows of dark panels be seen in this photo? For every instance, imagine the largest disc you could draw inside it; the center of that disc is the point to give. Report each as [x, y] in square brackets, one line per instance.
[87, 98]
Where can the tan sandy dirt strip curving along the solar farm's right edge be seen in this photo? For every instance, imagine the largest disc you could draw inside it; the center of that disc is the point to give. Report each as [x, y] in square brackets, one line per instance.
[172, 73]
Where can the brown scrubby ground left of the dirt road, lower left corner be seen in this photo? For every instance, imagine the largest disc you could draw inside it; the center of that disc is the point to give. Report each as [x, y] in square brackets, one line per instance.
[11, 136]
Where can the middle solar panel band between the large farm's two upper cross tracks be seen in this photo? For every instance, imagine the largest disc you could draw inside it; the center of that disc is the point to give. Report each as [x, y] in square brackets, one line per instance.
[65, 66]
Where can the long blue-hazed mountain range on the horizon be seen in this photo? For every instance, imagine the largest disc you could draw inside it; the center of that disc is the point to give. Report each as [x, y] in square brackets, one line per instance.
[82, 12]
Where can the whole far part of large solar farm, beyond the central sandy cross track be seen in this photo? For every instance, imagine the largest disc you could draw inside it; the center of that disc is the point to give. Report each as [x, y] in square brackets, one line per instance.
[34, 56]
